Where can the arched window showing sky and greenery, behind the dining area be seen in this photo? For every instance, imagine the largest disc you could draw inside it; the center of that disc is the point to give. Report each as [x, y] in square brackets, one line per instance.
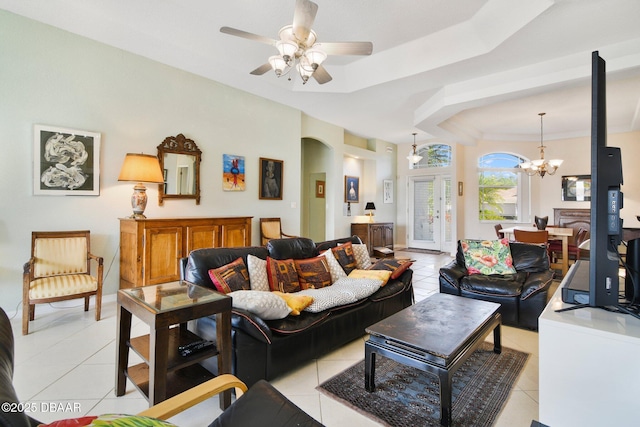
[503, 188]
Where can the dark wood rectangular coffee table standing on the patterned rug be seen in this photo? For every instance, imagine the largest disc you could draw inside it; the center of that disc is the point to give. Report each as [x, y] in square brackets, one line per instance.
[435, 335]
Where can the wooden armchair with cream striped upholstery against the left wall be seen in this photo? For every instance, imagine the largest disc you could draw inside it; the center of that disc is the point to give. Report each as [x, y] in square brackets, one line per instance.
[60, 269]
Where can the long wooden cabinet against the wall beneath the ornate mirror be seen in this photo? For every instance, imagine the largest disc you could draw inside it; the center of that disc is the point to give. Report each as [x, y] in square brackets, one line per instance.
[150, 249]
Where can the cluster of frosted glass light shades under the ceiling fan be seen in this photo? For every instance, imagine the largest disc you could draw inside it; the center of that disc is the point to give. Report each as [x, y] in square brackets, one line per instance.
[295, 54]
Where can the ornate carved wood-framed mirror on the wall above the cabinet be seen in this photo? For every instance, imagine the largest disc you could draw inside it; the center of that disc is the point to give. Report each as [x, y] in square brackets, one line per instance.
[180, 163]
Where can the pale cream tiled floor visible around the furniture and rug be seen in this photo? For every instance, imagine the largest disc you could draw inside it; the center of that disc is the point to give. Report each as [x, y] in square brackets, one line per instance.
[67, 362]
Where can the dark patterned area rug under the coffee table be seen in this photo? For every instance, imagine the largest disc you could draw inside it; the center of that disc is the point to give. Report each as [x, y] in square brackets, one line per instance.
[406, 396]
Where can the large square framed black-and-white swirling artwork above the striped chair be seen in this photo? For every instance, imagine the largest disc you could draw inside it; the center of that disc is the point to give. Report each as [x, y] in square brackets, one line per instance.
[66, 162]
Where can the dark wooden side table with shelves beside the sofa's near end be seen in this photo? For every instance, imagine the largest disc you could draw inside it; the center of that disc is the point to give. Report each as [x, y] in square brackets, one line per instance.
[167, 308]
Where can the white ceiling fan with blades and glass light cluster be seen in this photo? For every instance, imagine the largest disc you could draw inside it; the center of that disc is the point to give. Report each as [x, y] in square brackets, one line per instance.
[297, 47]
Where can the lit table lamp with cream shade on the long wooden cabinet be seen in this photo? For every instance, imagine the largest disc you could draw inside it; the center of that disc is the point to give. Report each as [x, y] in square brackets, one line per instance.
[140, 168]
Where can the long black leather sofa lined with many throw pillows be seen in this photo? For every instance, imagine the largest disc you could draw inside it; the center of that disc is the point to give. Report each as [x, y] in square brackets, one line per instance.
[266, 349]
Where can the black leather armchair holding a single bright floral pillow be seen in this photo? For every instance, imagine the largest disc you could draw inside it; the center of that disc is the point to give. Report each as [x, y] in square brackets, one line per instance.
[523, 295]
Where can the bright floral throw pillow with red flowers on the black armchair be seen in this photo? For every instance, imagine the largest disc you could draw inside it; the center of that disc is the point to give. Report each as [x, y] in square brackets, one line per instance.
[487, 256]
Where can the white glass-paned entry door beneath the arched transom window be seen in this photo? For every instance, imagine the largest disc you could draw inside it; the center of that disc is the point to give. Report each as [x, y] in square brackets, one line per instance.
[430, 213]
